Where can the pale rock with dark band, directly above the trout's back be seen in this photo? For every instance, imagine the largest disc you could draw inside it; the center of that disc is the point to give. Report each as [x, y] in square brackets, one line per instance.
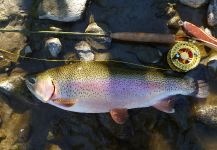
[84, 51]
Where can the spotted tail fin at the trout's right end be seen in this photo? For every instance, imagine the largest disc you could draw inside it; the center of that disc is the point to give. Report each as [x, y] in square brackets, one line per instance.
[203, 89]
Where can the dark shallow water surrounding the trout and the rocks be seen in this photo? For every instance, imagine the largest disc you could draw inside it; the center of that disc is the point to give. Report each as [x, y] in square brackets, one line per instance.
[146, 128]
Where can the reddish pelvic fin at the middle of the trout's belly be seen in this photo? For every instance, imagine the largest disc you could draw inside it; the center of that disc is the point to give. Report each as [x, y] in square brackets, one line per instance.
[119, 115]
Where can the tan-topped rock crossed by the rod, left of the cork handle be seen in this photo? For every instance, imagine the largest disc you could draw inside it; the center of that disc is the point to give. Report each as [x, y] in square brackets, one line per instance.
[99, 42]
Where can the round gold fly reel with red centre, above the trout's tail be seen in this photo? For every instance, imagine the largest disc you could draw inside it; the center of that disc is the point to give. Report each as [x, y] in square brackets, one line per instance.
[183, 56]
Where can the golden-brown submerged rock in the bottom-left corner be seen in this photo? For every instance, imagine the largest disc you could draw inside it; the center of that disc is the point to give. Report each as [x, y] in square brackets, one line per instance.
[13, 123]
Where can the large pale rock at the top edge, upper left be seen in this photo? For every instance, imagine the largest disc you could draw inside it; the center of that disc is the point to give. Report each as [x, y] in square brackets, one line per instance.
[59, 10]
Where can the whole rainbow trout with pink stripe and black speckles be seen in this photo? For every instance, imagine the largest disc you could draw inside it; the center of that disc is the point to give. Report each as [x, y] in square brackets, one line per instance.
[97, 87]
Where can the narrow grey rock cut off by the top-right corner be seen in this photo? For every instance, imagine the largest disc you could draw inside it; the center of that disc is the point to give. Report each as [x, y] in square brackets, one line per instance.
[212, 13]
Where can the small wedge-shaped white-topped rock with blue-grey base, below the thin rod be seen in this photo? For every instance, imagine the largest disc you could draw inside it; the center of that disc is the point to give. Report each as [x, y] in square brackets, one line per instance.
[54, 46]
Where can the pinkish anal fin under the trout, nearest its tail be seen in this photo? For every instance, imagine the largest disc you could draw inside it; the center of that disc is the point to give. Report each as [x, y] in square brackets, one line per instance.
[165, 106]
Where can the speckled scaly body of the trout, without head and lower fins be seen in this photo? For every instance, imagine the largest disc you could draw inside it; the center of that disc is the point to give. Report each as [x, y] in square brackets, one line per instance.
[96, 87]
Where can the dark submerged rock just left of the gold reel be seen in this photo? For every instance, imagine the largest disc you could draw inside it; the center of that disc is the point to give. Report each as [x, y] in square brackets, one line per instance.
[148, 55]
